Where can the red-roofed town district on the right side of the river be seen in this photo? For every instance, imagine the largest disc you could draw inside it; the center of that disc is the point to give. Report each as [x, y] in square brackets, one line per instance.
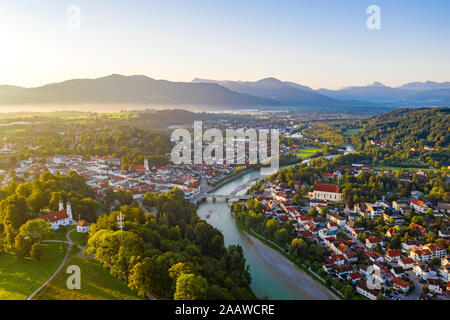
[371, 256]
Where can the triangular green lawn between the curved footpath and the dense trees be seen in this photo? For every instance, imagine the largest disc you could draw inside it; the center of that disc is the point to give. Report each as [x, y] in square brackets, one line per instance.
[96, 284]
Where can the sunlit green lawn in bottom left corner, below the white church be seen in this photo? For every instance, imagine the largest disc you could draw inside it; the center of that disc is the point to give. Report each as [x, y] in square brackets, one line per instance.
[18, 279]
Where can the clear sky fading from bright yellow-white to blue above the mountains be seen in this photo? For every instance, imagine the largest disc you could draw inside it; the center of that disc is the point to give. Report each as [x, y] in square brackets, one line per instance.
[320, 43]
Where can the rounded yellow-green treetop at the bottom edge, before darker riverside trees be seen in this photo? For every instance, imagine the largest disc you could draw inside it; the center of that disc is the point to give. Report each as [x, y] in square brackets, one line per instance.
[190, 287]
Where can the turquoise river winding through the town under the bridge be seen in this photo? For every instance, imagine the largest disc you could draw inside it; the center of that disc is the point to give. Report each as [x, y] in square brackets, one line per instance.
[268, 277]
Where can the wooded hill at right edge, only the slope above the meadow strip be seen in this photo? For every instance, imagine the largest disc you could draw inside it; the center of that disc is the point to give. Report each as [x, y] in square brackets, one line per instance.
[411, 128]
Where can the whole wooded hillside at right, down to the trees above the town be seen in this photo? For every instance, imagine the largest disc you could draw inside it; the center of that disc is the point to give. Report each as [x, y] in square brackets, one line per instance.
[406, 133]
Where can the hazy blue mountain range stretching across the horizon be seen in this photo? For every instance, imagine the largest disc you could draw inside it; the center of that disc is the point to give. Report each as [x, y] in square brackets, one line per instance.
[213, 94]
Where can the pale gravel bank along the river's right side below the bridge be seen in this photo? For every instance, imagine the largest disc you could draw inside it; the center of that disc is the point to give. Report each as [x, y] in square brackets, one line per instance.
[279, 261]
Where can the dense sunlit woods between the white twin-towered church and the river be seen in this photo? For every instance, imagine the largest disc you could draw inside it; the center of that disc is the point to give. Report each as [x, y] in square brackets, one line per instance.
[173, 255]
